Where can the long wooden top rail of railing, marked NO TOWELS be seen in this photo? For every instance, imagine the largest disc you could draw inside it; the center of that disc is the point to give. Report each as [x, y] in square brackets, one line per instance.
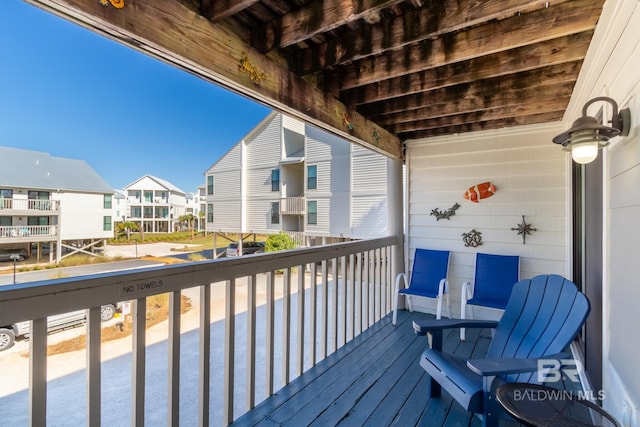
[32, 300]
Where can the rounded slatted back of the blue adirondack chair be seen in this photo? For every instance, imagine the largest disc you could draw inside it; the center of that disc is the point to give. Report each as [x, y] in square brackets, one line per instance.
[542, 317]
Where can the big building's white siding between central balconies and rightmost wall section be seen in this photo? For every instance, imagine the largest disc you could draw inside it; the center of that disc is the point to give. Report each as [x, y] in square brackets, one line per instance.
[332, 157]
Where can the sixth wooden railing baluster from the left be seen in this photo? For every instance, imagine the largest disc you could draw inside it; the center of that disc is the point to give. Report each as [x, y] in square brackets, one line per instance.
[229, 349]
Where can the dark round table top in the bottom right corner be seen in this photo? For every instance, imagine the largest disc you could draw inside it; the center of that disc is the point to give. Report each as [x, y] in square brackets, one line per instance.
[541, 406]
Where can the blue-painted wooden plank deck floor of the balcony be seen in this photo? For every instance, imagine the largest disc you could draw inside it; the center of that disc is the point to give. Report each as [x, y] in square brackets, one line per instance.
[375, 380]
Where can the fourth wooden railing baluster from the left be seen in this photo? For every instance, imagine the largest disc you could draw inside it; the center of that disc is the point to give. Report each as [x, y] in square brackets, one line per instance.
[173, 409]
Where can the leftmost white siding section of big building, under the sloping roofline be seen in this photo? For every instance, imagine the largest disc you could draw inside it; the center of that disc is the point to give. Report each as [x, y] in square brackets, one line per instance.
[227, 183]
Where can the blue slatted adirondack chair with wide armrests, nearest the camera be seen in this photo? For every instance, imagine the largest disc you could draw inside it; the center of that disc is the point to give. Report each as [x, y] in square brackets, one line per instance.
[543, 316]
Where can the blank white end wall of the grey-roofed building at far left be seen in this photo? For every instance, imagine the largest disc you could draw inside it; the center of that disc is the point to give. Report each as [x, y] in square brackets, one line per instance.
[81, 216]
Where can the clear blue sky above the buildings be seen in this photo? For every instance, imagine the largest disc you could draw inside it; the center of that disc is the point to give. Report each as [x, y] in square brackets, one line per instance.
[72, 93]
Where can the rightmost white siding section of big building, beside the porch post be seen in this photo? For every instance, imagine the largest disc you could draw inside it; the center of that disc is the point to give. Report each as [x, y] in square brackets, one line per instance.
[369, 209]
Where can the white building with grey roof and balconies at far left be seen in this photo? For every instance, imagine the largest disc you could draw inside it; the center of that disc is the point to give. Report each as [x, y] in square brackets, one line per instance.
[48, 204]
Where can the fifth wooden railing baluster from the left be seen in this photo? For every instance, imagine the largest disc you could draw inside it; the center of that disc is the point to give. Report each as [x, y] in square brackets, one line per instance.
[204, 360]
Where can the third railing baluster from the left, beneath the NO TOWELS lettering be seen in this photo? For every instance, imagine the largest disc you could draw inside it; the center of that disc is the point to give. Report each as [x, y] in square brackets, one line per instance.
[138, 361]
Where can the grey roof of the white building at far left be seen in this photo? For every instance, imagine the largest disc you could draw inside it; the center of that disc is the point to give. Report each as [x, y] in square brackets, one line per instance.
[38, 170]
